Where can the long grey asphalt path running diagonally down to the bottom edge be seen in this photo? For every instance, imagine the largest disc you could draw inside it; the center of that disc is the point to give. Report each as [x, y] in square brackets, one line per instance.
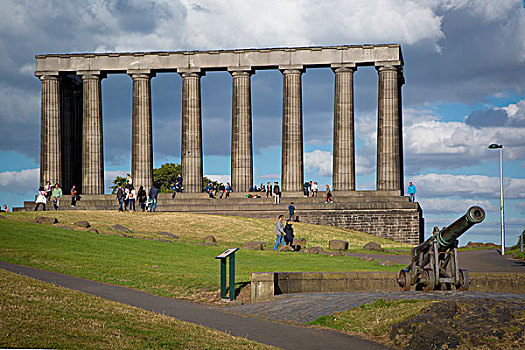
[278, 334]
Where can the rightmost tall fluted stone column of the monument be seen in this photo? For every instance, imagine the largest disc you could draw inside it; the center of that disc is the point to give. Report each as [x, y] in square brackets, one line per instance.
[389, 143]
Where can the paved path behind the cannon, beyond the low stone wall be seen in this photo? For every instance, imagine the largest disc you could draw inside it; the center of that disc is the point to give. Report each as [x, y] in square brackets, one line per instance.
[481, 260]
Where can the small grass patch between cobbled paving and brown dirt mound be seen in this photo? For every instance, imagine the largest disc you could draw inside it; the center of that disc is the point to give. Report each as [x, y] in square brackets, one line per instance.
[374, 319]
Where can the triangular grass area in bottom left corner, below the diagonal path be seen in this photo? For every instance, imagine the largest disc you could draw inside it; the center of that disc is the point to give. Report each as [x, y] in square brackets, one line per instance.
[34, 314]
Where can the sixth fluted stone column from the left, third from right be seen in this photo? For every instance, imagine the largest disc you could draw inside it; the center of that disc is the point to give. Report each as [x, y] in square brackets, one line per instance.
[292, 139]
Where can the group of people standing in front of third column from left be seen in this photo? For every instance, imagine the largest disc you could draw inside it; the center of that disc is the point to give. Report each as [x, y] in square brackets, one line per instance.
[127, 195]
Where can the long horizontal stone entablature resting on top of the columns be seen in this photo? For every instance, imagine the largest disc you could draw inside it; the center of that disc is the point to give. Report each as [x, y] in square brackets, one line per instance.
[231, 60]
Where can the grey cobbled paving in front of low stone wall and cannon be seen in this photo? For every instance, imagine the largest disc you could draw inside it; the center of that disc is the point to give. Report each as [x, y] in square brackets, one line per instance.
[307, 307]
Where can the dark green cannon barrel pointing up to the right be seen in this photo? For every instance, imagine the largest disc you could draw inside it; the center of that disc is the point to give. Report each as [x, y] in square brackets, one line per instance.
[445, 238]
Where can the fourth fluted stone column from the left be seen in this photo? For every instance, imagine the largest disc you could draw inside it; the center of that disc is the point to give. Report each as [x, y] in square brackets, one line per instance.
[191, 154]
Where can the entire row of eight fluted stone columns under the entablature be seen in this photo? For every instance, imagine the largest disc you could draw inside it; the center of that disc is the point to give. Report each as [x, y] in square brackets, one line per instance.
[389, 133]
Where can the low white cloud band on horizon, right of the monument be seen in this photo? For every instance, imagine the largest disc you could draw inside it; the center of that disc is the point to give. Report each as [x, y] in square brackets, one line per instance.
[467, 186]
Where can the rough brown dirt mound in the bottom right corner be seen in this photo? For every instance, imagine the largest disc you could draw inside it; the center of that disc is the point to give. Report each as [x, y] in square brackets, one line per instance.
[466, 324]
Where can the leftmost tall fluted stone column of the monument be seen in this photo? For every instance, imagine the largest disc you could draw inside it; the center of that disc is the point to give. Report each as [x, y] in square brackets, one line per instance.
[50, 142]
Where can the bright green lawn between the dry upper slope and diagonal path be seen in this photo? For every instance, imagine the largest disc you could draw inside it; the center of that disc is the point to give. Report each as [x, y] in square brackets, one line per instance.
[177, 269]
